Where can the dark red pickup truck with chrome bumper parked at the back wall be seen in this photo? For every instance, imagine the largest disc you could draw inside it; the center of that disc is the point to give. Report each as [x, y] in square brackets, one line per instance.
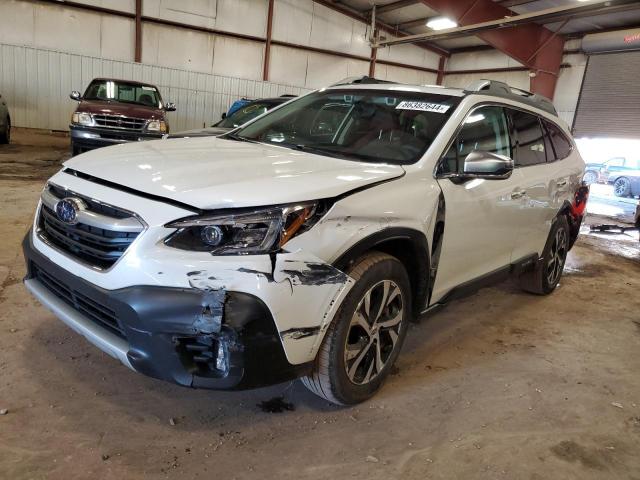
[116, 111]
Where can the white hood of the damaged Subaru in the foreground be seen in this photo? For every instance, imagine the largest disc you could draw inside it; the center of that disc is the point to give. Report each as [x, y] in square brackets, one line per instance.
[210, 172]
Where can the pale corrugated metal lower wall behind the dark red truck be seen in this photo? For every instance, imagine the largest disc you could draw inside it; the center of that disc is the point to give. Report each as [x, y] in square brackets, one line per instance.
[36, 84]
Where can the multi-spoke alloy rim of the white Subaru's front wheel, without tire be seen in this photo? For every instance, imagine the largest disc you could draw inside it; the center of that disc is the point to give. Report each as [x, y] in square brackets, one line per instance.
[373, 332]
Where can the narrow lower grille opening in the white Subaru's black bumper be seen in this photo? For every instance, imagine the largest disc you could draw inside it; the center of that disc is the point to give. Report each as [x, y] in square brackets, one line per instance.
[93, 310]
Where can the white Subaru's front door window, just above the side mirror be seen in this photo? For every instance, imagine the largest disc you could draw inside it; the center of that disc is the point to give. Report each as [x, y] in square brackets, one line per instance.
[485, 129]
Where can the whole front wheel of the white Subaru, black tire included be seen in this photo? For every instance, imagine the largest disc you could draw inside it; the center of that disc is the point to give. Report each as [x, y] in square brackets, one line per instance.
[330, 379]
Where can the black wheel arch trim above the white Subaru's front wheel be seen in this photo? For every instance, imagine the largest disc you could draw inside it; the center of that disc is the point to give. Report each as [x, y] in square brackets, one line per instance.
[416, 260]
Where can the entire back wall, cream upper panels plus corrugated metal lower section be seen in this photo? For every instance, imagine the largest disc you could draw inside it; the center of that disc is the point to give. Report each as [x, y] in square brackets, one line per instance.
[53, 49]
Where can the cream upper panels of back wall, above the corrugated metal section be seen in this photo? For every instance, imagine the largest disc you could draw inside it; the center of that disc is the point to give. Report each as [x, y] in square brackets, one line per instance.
[300, 22]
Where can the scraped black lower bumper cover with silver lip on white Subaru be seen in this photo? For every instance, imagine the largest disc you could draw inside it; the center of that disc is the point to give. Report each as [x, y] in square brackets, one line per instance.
[193, 337]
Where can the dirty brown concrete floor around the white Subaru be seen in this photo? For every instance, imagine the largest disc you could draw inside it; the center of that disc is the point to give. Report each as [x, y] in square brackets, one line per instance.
[499, 385]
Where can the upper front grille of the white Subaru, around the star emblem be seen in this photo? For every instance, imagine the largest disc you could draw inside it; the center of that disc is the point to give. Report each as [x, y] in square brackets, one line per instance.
[94, 244]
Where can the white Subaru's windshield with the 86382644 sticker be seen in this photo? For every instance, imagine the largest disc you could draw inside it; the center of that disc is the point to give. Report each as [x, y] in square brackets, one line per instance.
[378, 126]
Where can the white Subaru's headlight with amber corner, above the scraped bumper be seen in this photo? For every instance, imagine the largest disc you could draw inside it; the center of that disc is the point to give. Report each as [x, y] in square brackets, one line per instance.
[249, 232]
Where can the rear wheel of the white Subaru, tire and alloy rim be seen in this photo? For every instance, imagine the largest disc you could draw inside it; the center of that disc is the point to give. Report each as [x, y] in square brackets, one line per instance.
[542, 280]
